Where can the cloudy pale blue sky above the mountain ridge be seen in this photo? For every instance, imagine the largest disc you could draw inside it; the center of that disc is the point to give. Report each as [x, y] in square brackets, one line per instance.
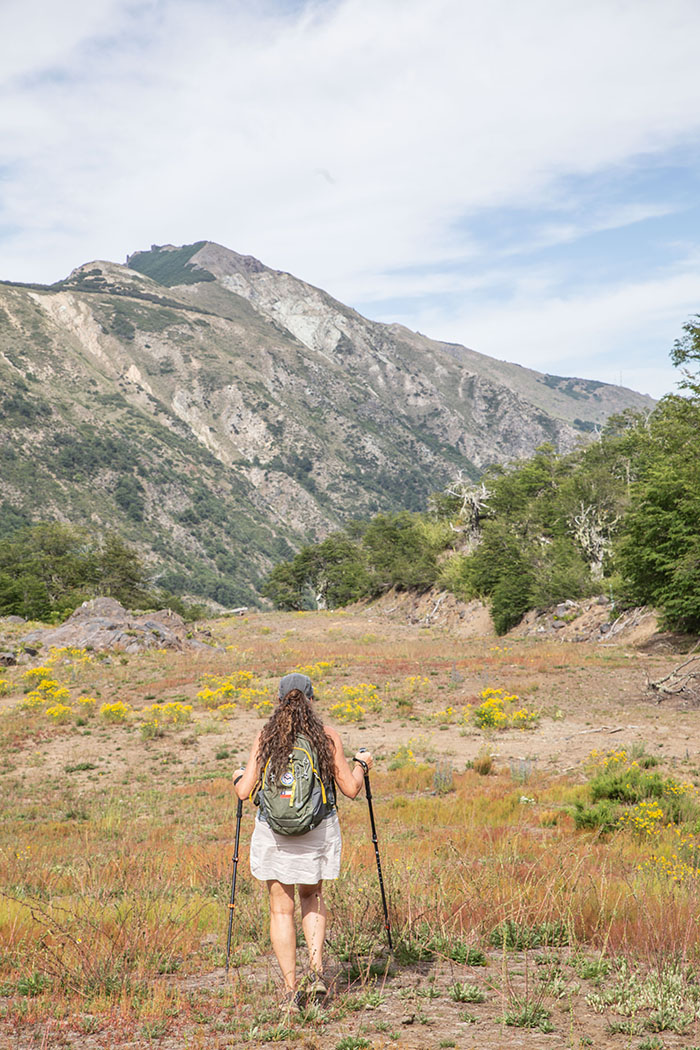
[520, 178]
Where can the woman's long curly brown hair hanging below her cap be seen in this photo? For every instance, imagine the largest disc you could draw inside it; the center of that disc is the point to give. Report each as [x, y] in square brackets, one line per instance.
[292, 717]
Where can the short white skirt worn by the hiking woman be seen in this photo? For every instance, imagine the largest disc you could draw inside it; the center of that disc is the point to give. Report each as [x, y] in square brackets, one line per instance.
[294, 859]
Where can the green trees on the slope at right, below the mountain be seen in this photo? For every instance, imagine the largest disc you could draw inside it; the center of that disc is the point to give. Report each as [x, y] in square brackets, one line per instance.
[620, 516]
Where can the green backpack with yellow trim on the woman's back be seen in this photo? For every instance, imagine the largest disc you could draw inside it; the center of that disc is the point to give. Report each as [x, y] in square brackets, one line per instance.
[299, 801]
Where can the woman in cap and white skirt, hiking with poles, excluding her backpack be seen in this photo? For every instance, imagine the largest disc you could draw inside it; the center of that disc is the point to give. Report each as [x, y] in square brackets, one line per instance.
[305, 860]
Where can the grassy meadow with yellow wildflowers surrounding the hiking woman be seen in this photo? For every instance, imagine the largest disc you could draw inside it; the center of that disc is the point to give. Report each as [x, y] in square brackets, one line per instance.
[539, 824]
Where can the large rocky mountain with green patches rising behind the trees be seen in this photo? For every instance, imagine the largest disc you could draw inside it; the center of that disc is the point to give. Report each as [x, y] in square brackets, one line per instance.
[220, 414]
